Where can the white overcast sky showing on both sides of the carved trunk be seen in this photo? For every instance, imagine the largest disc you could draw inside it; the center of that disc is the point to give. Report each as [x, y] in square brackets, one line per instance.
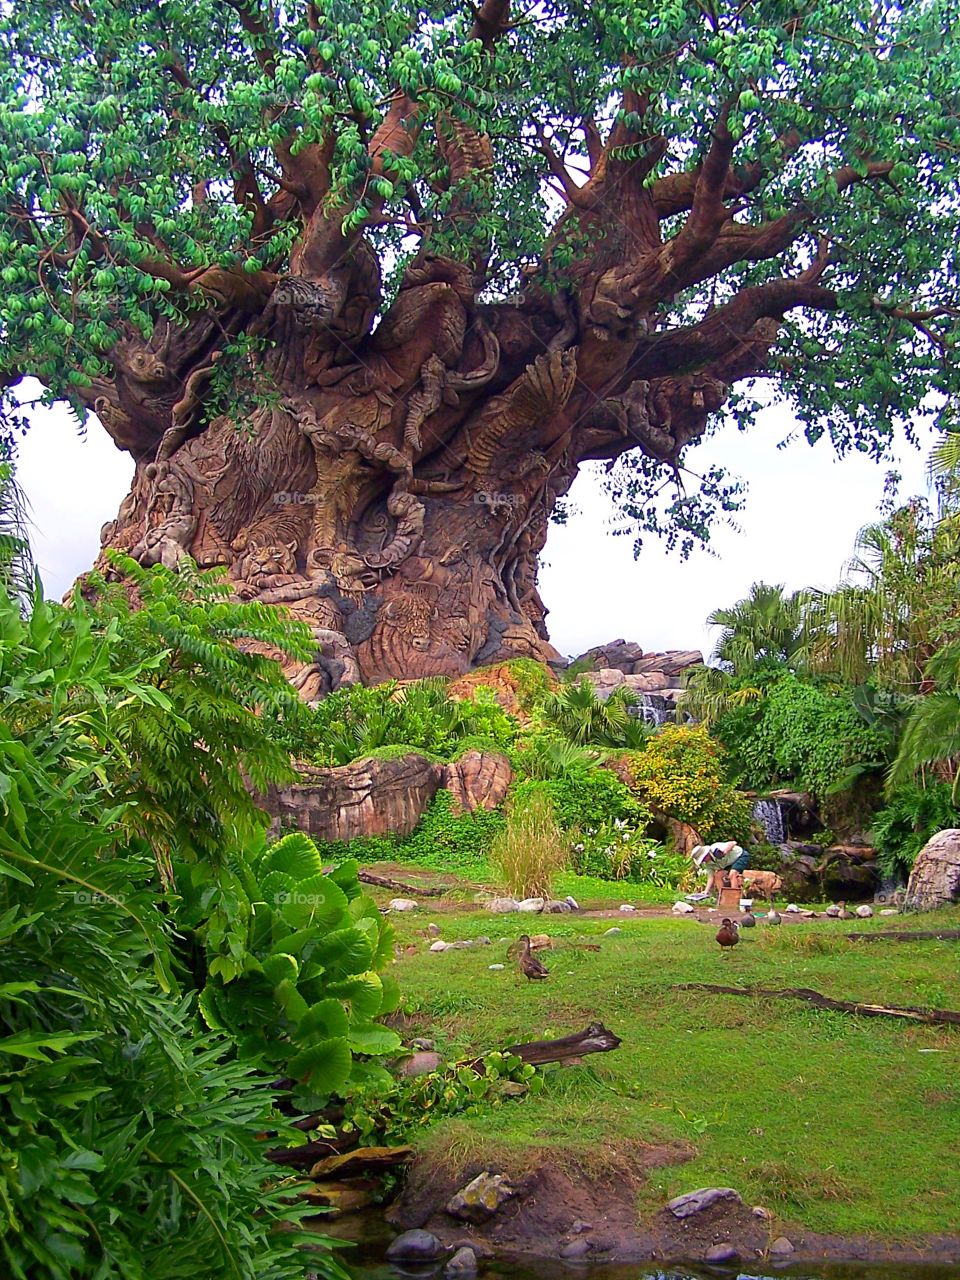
[803, 513]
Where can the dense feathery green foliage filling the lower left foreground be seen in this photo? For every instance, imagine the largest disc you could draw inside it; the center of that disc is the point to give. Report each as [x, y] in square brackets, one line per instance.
[129, 1142]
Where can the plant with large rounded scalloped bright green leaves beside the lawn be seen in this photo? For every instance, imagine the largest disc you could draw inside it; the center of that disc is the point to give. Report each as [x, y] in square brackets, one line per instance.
[295, 961]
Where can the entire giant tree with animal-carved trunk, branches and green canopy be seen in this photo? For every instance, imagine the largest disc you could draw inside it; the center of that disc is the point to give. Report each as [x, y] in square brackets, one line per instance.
[362, 284]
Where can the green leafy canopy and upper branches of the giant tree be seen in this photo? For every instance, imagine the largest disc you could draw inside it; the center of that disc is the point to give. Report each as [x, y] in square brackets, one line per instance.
[764, 189]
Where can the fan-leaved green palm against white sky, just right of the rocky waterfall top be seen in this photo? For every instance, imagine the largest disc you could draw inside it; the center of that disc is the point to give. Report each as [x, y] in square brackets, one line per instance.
[765, 627]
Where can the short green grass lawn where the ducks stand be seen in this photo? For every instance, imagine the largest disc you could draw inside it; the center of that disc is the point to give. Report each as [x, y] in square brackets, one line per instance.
[838, 1123]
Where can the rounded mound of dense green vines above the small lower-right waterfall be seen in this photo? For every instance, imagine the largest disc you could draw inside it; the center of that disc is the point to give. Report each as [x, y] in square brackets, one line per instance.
[803, 733]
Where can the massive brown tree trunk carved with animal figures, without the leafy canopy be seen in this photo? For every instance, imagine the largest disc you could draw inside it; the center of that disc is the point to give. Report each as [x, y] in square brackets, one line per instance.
[394, 490]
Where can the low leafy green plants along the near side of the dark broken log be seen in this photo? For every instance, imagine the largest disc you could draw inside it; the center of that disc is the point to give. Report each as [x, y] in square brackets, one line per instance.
[412, 1104]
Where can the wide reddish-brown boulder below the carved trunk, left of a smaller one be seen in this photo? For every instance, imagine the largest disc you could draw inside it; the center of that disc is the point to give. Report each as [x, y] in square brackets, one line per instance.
[367, 798]
